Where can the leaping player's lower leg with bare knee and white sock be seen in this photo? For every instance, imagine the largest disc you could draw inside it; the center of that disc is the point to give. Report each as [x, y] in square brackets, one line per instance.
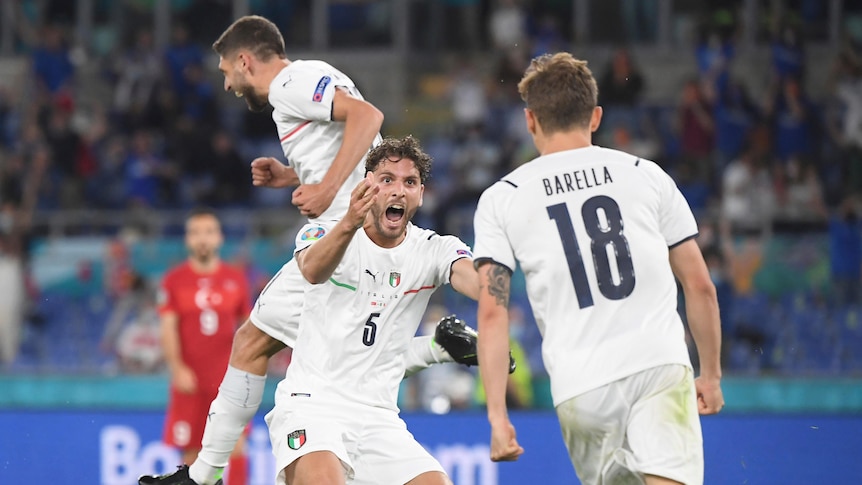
[237, 402]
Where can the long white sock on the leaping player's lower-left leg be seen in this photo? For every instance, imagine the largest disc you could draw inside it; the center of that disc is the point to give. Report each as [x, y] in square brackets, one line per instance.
[238, 399]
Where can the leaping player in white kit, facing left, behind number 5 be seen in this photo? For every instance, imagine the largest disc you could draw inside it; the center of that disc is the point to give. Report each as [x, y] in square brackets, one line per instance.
[326, 129]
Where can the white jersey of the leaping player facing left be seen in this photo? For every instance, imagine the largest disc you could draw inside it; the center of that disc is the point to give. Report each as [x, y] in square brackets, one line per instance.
[301, 96]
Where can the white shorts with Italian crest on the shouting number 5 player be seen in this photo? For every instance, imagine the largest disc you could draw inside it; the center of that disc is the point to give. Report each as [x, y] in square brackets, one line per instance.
[373, 444]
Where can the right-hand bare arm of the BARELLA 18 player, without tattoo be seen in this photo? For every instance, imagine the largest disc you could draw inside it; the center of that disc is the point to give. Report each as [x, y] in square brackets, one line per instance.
[701, 307]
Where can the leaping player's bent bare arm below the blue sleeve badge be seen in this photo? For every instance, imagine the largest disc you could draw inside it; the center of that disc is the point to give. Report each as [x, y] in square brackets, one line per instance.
[362, 122]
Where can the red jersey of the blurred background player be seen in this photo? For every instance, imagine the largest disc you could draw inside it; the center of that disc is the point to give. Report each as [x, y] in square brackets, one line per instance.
[210, 307]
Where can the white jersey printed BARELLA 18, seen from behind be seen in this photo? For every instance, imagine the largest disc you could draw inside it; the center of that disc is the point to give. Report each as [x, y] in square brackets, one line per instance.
[591, 229]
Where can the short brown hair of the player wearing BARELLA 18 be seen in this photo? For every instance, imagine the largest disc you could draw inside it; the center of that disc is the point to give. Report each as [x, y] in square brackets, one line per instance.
[560, 91]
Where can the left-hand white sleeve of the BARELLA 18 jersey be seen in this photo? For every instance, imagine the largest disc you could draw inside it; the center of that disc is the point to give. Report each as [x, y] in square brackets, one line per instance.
[492, 242]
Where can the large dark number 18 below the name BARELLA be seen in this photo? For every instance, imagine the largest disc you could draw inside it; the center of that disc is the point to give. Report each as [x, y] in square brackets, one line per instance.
[604, 235]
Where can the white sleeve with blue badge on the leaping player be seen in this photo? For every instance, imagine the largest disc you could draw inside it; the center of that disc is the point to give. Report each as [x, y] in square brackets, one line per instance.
[306, 95]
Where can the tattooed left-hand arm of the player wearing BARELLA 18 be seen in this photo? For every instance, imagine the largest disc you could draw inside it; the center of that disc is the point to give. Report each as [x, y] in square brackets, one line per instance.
[493, 316]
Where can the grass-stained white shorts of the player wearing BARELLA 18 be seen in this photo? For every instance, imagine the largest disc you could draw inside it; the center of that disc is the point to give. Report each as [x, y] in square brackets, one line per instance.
[643, 424]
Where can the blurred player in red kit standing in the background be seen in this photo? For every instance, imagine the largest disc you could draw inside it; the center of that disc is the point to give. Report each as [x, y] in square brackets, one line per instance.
[202, 301]
